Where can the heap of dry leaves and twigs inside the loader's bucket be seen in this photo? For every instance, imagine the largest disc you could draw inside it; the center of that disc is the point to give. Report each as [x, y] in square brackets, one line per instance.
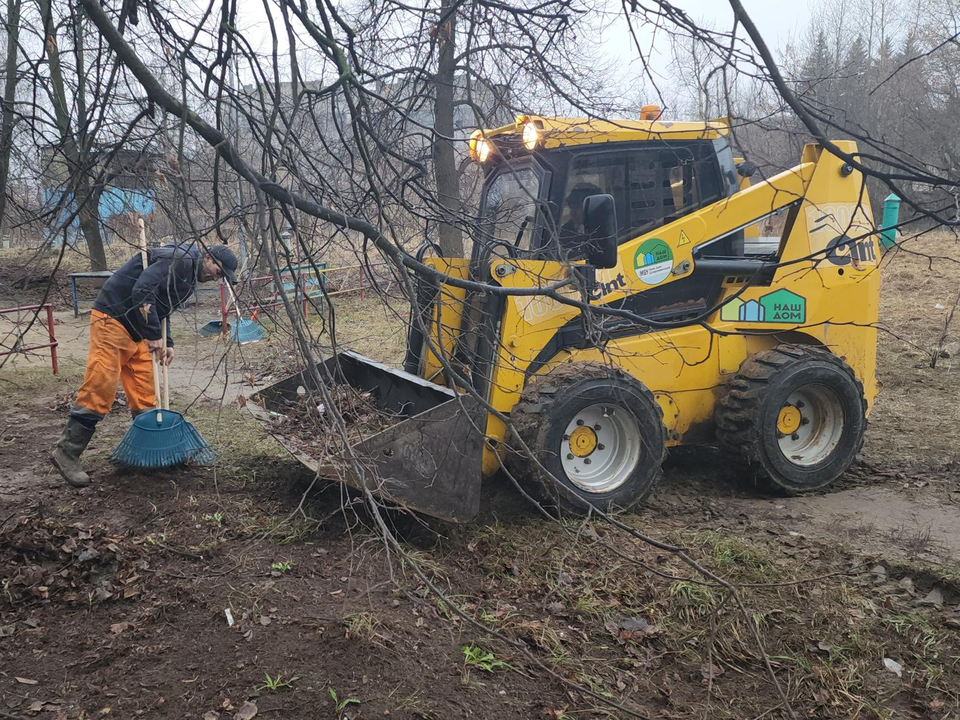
[308, 426]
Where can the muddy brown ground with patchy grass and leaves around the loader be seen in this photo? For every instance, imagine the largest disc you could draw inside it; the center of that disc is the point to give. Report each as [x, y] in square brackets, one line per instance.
[216, 592]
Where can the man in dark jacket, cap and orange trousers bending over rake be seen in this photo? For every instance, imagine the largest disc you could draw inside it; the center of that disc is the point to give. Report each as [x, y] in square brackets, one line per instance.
[125, 330]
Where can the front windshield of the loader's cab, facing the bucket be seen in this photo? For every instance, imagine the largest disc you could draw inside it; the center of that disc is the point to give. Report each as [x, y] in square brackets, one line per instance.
[508, 214]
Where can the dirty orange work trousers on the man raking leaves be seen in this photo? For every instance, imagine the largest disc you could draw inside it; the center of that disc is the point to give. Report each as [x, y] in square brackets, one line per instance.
[114, 358]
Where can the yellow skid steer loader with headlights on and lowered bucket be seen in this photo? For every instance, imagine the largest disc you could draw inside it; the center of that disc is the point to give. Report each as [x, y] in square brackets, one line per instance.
[712, 332]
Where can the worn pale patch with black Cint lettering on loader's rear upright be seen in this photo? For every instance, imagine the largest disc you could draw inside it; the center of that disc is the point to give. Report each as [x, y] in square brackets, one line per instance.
[841, 233]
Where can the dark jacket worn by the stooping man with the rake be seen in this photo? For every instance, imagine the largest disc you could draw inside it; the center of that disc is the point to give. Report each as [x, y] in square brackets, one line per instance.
[170, 278]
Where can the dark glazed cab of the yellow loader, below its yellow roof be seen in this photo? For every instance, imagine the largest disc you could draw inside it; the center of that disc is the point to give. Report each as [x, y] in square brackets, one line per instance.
[532, 203]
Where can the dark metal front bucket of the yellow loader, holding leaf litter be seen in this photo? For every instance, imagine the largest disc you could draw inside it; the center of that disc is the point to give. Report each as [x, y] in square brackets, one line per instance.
[430, 461]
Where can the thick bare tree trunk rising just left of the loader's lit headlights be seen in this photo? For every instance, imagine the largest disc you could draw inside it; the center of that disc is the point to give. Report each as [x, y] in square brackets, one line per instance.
[444, 158]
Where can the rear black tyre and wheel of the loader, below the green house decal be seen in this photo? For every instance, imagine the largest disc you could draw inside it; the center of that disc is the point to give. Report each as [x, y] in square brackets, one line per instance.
[753, 416]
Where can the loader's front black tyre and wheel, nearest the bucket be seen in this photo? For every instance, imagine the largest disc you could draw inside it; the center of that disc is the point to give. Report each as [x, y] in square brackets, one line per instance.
[552, 402]
